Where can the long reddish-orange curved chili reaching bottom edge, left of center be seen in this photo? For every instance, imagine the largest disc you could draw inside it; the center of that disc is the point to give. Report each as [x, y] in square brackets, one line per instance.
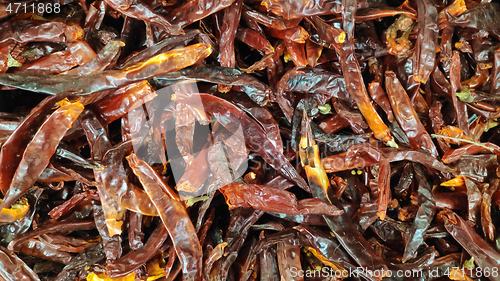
[173, 214]
